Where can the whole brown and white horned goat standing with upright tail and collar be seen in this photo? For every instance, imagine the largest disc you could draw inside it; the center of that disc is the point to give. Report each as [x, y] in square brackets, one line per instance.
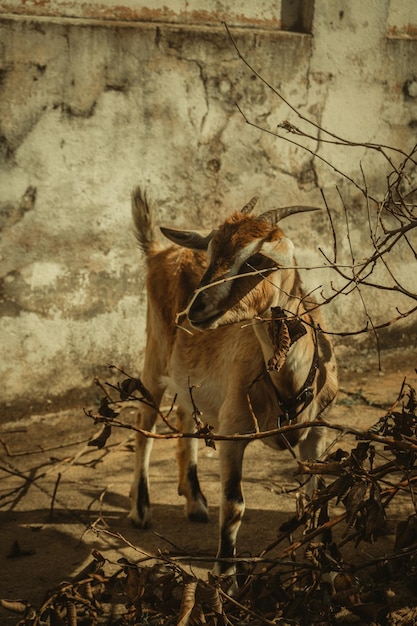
[245, 376]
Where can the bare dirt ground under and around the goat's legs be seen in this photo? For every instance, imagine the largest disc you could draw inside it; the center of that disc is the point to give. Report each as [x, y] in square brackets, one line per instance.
[60, 499]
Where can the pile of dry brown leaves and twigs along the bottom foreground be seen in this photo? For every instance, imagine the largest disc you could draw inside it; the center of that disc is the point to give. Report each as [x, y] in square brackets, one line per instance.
[314, 573]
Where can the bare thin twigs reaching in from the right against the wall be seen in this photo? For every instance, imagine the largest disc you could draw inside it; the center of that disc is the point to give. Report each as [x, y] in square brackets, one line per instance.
[391, 218]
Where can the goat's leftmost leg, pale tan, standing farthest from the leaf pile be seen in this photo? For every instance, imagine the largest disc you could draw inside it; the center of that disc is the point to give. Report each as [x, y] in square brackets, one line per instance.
[140, 512]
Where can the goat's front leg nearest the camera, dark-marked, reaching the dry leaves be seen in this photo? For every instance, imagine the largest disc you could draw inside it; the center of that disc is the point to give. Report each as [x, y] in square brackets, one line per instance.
[232, 506]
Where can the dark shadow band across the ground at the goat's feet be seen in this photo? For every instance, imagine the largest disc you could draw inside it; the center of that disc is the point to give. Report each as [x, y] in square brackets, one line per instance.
[55, 549]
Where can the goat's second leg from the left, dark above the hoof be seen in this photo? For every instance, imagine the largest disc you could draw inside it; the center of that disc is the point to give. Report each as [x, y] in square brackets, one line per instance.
[188, 483]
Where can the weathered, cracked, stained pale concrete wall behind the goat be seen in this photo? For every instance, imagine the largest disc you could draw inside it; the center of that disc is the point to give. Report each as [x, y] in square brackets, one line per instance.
[89, 110]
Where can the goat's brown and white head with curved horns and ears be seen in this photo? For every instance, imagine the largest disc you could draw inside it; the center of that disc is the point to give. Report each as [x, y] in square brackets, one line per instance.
[247, 257]
